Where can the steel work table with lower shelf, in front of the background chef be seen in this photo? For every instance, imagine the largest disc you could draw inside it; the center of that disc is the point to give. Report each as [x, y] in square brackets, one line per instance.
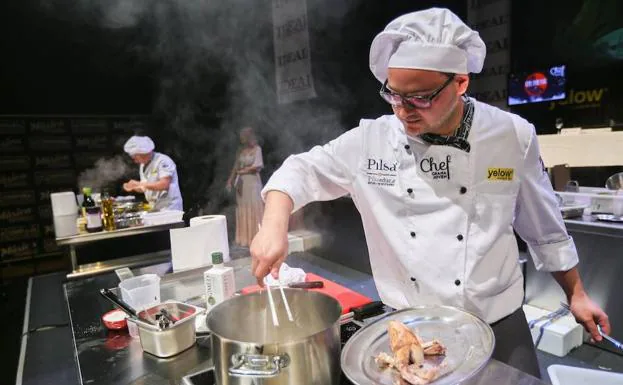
[99, 267]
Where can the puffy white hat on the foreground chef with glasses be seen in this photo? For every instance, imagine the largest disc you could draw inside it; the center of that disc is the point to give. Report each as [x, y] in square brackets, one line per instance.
[432, 39]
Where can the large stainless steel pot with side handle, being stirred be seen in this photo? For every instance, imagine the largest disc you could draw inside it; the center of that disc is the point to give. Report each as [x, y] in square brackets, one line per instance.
[248, 350]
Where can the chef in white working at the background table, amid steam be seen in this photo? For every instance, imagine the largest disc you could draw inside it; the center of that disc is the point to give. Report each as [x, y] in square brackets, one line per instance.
[158, 175]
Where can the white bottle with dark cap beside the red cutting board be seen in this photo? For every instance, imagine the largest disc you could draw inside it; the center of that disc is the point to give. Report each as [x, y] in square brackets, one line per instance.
[219, 282]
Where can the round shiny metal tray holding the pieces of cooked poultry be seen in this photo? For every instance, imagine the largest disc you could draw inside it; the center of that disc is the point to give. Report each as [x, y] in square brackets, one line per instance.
[468, 339]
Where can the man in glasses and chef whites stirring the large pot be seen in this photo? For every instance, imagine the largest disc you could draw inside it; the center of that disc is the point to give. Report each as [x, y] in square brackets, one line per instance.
[439, 185]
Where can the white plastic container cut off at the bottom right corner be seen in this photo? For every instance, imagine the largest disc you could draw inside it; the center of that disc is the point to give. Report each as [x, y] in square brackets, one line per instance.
[570, 375]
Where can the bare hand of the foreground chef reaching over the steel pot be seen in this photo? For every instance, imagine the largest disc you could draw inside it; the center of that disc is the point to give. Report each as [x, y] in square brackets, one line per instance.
[269, 249]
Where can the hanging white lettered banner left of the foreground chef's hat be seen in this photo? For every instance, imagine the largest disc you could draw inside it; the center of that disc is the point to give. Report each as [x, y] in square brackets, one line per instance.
[292, 55]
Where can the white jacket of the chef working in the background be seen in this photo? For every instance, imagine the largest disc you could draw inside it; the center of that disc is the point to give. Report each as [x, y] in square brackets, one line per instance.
[159, 167]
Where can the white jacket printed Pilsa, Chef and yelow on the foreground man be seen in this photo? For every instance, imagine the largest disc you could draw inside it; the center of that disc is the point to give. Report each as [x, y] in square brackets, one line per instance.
[438, 220]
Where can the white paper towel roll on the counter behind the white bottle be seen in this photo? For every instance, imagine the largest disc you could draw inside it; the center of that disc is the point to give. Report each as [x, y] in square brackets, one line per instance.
[192, 247]
